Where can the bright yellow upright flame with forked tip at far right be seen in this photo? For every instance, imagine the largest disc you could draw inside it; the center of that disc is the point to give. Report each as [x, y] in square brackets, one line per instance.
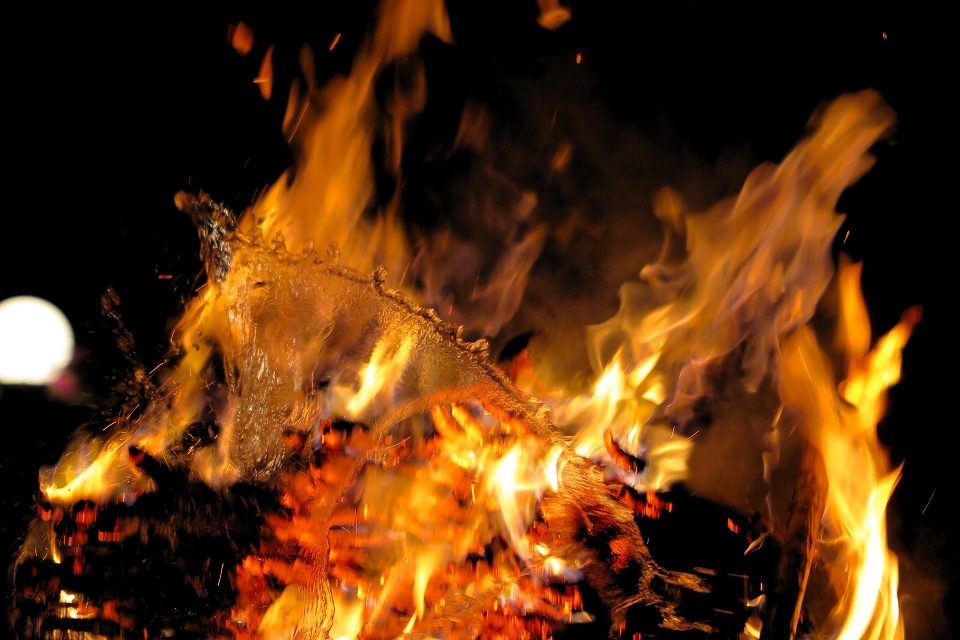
[841, 422]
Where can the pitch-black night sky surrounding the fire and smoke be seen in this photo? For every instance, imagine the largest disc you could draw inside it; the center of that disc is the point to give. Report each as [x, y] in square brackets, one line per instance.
[108, 115]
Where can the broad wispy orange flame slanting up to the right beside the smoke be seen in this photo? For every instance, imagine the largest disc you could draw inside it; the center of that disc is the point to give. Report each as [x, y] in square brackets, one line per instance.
[755, 267]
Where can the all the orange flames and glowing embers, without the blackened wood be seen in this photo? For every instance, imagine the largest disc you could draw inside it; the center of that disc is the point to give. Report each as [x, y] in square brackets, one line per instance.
[420, 490]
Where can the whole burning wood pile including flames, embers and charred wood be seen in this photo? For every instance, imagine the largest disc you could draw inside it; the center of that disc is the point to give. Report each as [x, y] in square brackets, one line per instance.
[324, 457]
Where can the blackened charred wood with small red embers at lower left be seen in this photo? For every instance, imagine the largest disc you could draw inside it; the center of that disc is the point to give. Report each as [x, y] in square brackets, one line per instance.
[162, 563]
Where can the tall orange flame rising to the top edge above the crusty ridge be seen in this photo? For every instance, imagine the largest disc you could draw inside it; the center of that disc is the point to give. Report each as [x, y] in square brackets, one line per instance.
[334, 177]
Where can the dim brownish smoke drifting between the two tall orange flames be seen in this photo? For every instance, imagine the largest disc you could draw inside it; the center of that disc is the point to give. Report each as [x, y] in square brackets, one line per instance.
[546, 171]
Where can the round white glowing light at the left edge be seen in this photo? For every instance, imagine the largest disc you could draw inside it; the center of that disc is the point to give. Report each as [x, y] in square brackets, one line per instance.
[36, 341]
